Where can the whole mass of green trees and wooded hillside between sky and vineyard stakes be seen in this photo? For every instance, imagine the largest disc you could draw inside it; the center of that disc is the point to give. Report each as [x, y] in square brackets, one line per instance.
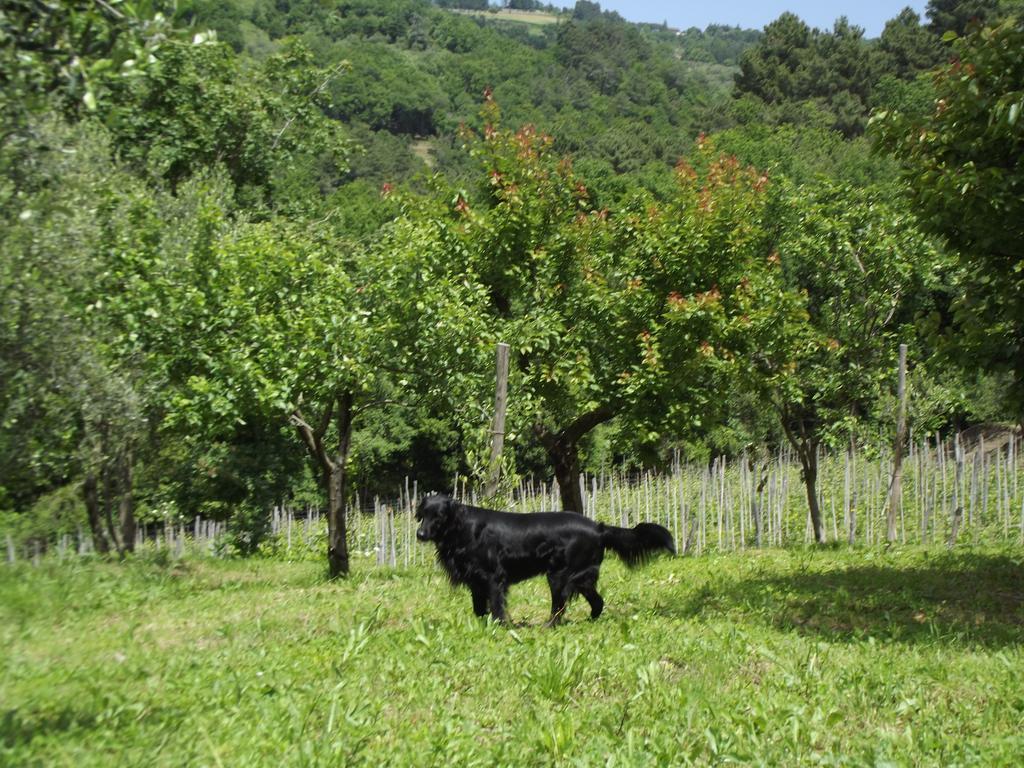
[260, 252]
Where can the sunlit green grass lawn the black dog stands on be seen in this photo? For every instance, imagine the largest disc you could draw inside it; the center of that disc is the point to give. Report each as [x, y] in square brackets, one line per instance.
[778, 658]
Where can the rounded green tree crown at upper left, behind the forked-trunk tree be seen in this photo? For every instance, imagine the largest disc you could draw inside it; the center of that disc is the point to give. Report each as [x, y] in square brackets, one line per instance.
[196, 109]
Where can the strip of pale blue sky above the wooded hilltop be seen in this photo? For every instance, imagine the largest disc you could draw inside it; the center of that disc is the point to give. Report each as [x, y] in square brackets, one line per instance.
[872, 15]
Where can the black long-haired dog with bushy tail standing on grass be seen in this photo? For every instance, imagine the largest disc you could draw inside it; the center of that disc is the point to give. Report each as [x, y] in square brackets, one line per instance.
[488, 551]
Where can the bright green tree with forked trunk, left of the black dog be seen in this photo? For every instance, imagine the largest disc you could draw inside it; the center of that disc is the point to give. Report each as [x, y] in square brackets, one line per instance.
[276, 321]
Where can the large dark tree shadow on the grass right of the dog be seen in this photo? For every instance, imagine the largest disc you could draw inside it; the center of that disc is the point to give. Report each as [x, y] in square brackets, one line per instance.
[963, 599]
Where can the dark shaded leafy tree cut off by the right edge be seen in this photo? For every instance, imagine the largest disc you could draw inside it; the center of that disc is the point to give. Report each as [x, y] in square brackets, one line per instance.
[962, 159]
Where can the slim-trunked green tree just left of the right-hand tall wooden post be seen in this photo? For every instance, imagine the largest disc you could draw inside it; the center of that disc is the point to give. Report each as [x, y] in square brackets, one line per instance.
[864, 275]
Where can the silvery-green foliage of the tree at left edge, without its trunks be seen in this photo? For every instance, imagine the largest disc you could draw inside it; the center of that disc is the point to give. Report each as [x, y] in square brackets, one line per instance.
[64, 380]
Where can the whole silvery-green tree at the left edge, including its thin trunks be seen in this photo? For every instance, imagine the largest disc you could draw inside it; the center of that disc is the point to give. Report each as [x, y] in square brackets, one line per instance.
[80, 397]
